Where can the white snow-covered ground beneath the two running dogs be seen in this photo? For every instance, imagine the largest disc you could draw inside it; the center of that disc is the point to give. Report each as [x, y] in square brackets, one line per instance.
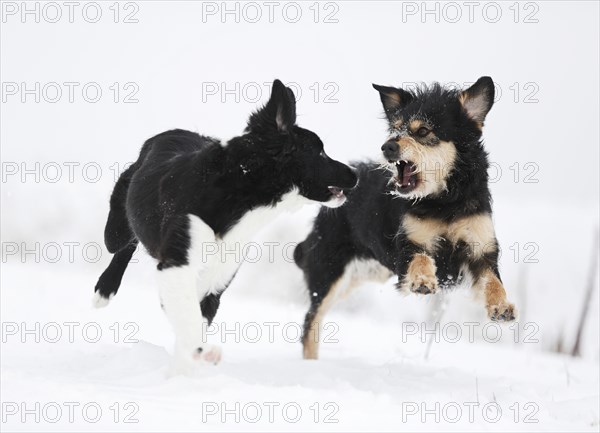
[375, 371]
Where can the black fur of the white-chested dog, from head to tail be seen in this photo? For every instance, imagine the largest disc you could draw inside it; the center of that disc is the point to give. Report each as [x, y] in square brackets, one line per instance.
[179, 173]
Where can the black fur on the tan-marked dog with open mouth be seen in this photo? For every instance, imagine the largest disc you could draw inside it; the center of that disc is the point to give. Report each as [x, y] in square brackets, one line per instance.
[369, 225]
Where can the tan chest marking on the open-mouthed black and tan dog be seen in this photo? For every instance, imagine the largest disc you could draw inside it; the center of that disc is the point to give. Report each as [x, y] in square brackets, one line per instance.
[477, 231]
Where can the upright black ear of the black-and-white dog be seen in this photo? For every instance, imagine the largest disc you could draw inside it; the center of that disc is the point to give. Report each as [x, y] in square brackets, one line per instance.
[279, 113]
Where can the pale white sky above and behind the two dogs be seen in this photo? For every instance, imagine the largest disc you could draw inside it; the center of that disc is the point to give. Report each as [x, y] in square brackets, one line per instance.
[174, 49]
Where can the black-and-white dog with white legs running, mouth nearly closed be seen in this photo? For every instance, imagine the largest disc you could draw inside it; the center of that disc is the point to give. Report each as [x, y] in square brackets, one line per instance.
[186, 191]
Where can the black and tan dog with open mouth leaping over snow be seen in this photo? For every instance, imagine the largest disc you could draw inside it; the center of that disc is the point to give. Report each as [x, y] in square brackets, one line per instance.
[425, 218]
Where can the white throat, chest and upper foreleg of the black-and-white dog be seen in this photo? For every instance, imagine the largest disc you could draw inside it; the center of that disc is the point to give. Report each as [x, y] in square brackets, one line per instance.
[217, 259]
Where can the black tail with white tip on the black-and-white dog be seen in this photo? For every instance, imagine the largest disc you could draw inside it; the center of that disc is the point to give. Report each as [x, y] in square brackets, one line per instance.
[118, 236]
